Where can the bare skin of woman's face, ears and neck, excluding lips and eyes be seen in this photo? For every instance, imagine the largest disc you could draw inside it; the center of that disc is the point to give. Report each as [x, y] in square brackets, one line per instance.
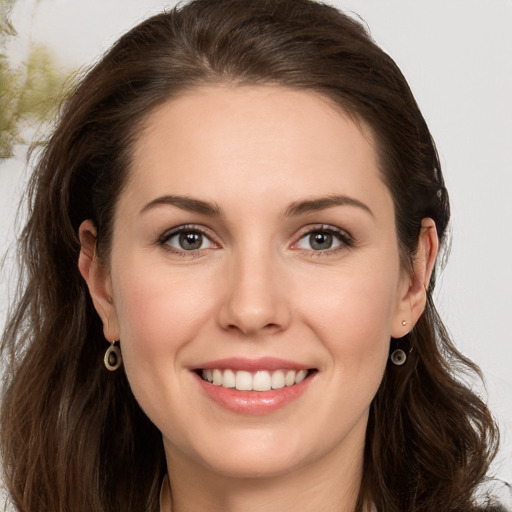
[257, 287]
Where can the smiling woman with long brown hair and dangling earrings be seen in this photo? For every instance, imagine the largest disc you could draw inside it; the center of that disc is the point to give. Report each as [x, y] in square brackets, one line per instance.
[239, 215]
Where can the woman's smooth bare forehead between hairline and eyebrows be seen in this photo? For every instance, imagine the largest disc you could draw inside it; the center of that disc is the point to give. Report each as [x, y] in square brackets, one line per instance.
[260, 141]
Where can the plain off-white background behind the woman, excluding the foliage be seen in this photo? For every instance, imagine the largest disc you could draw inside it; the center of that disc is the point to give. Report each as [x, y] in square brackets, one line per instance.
[457, 56]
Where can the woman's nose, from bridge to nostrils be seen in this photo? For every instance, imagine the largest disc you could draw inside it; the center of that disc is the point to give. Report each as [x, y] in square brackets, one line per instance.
[255, 299]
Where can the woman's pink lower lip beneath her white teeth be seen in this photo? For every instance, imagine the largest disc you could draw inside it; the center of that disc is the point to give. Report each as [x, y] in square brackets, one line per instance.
[254, 402]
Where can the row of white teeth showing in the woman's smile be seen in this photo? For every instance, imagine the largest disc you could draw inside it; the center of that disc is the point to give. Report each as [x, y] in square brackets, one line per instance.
[261, 380]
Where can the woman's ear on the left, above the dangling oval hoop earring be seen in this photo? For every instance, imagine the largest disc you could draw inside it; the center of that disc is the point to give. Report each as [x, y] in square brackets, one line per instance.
[98, 280]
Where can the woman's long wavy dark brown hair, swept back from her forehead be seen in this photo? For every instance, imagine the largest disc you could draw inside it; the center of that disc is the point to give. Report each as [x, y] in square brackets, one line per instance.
[72, 435]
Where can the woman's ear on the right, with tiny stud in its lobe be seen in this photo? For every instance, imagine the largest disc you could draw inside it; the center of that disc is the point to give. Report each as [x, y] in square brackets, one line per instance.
[413, 292]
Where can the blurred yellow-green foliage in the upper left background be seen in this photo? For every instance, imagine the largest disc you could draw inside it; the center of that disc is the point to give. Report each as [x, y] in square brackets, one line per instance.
[30, 92]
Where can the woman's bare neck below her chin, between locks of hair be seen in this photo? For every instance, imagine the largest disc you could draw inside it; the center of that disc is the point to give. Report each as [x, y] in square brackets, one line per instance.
[330, 485]
